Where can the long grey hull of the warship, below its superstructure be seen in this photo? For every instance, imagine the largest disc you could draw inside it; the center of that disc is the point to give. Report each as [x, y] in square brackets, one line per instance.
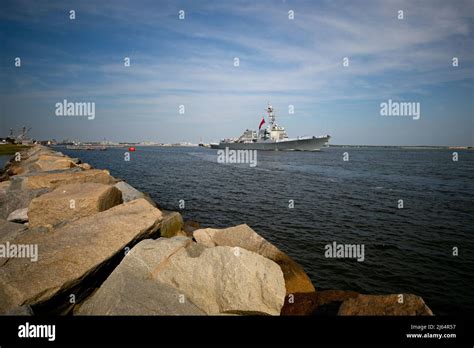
[308, 144]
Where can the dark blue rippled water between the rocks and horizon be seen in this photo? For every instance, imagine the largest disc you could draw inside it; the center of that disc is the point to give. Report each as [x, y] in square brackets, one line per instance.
[407, 250]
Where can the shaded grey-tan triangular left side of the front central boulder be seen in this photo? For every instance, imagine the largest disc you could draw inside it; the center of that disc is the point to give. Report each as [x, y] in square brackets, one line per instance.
[130, 290]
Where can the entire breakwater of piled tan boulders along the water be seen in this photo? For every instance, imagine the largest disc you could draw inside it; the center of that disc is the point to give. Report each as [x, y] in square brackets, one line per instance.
[75, 240]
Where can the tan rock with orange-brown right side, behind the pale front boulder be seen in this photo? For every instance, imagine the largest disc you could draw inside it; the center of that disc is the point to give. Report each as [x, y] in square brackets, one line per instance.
[296, 280]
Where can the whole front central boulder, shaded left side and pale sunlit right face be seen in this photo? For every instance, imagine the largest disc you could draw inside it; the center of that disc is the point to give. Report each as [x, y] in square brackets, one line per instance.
[217, 280]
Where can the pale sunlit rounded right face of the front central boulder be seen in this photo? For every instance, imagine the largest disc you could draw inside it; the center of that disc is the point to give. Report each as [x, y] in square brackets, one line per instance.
[222, 279]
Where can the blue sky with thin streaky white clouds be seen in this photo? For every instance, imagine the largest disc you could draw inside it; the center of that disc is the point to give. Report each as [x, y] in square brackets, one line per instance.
[284, 61]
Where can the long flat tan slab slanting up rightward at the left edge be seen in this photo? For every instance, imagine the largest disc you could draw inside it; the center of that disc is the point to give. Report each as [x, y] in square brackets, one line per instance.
[72, 252]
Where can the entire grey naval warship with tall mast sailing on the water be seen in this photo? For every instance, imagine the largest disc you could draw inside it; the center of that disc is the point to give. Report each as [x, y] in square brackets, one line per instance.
[272, 138]
